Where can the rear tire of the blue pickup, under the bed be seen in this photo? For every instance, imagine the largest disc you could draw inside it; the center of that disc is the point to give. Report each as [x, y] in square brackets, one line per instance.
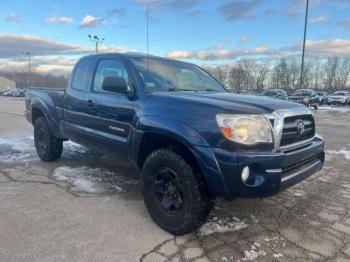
[48, 147]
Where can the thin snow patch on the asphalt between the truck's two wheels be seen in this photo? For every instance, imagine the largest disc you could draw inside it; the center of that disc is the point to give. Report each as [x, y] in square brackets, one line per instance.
[92, 180]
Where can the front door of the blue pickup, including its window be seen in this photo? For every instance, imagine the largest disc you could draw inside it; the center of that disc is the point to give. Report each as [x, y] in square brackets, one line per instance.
[111, 114]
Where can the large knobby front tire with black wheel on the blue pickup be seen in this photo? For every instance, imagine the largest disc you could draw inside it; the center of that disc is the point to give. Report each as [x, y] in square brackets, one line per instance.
[174, 194]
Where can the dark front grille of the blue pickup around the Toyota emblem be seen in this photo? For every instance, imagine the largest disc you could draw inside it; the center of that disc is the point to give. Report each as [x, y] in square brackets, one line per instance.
[290, 133]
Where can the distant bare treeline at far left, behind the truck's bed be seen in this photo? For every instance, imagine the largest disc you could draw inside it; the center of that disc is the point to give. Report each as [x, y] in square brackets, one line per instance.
[25, 79]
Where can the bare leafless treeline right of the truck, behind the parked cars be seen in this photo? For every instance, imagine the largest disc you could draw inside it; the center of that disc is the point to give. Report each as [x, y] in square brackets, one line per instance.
[328, 74]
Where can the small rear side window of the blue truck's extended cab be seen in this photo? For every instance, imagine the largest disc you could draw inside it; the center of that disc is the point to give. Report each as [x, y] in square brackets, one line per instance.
[82, 75]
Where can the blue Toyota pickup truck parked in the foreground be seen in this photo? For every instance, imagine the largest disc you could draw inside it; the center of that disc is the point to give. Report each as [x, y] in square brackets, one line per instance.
[192, 139]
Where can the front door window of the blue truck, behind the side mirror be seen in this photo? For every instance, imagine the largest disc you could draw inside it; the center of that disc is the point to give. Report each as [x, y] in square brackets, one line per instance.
[108, 68]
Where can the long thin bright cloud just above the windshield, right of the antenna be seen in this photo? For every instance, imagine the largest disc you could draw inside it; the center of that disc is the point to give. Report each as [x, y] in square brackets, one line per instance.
[219, 53]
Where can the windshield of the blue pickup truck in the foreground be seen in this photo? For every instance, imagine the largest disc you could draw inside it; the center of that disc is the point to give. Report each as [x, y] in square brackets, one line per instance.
[169, 75]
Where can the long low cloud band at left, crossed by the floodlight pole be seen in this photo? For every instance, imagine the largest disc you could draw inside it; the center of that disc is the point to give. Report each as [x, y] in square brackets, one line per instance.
[14, 45]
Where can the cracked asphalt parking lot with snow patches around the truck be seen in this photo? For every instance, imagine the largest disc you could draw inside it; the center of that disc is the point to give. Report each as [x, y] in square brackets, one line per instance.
[87, 207]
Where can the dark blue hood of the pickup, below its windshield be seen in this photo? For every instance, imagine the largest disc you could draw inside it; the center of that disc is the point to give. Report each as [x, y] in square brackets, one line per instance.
[232, 102]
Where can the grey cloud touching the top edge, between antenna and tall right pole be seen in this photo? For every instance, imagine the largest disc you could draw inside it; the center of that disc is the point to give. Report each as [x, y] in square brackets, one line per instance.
[239, 9]
